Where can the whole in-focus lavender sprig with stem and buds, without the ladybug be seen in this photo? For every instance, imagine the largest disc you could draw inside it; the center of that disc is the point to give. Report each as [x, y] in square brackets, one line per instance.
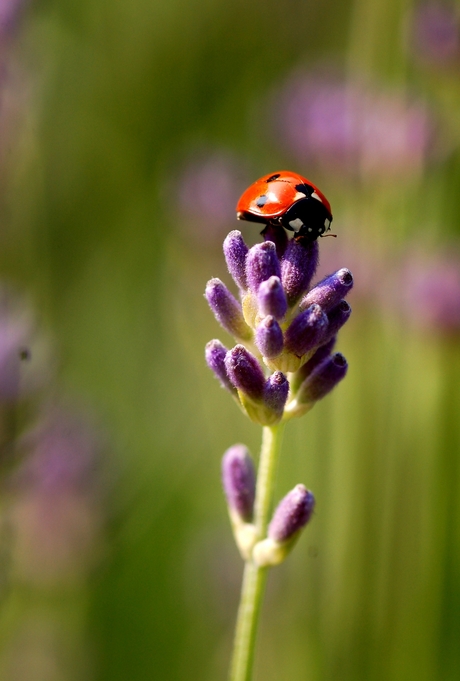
[282, 364]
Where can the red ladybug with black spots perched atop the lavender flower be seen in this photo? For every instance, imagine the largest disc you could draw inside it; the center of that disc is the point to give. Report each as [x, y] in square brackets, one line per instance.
[288, 200]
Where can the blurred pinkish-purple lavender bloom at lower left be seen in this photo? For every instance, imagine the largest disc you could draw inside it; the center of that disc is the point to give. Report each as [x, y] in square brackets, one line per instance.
[57, 508]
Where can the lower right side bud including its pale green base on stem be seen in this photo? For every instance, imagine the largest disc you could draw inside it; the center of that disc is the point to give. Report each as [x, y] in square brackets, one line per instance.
[291, 516]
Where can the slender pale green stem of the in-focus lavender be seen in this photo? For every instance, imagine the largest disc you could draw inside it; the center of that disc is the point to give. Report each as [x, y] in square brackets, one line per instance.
[255, 577]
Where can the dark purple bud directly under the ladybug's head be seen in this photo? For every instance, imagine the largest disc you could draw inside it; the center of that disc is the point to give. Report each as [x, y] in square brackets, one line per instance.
[298, 267]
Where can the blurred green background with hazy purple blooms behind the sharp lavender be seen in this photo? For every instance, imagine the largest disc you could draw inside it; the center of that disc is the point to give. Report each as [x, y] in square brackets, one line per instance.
[128, 131]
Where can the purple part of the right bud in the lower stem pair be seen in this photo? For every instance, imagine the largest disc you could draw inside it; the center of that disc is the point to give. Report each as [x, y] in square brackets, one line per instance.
[292, 514]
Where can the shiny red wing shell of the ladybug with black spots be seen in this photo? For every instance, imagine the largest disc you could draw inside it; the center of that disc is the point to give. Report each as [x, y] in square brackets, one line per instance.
[272, 195]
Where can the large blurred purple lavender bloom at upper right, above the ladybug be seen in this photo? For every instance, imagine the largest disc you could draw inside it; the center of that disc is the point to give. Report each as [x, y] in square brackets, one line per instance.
[350, 127]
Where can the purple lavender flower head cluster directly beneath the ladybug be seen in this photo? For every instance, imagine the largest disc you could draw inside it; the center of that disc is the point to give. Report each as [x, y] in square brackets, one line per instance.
[285, 330]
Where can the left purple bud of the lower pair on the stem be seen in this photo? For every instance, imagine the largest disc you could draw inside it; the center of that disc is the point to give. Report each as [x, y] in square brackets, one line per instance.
[238, 478]
